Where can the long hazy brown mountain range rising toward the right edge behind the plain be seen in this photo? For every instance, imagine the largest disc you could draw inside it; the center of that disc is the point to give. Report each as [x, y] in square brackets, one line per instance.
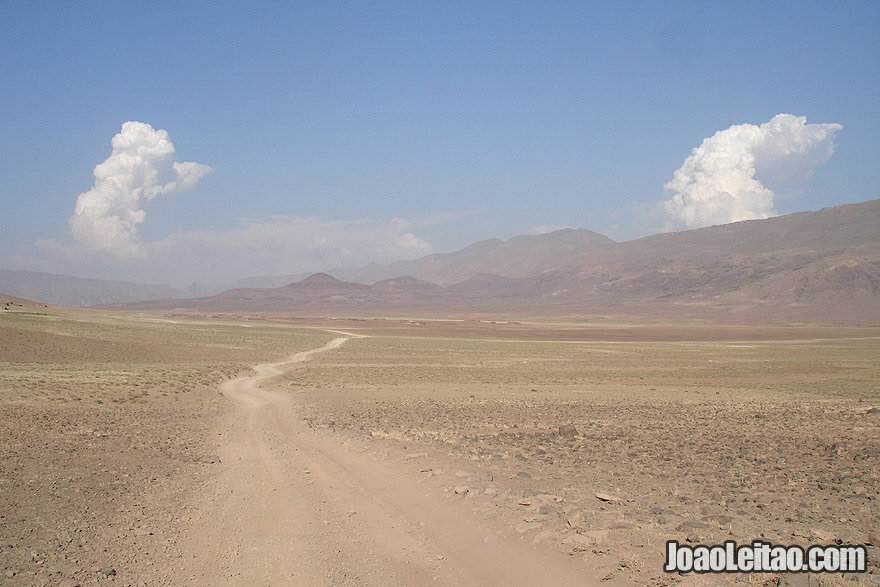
[809, 265]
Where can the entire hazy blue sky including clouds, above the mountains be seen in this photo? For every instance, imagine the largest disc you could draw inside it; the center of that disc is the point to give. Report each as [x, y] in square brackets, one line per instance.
[302, 137]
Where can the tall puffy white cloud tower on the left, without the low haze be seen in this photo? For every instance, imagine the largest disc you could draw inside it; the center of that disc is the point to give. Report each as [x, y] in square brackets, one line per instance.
[140, 168]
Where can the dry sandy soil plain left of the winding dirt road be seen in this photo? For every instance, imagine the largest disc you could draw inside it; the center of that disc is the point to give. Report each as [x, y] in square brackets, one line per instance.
[106, 427]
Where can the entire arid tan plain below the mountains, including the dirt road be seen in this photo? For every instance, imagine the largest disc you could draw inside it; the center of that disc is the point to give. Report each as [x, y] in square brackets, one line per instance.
[148, 448]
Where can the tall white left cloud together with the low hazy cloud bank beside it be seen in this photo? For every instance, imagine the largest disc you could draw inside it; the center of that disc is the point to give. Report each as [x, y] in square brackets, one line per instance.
[141, 168]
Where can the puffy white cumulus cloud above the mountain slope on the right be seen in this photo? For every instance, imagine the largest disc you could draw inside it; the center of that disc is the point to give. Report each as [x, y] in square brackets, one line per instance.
[730, 176]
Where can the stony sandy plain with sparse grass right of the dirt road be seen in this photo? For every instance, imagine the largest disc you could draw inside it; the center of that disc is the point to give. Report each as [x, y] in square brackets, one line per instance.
[700, 442]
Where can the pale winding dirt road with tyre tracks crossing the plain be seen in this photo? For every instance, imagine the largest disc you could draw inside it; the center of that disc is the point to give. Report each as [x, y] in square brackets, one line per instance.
[292, 506]
